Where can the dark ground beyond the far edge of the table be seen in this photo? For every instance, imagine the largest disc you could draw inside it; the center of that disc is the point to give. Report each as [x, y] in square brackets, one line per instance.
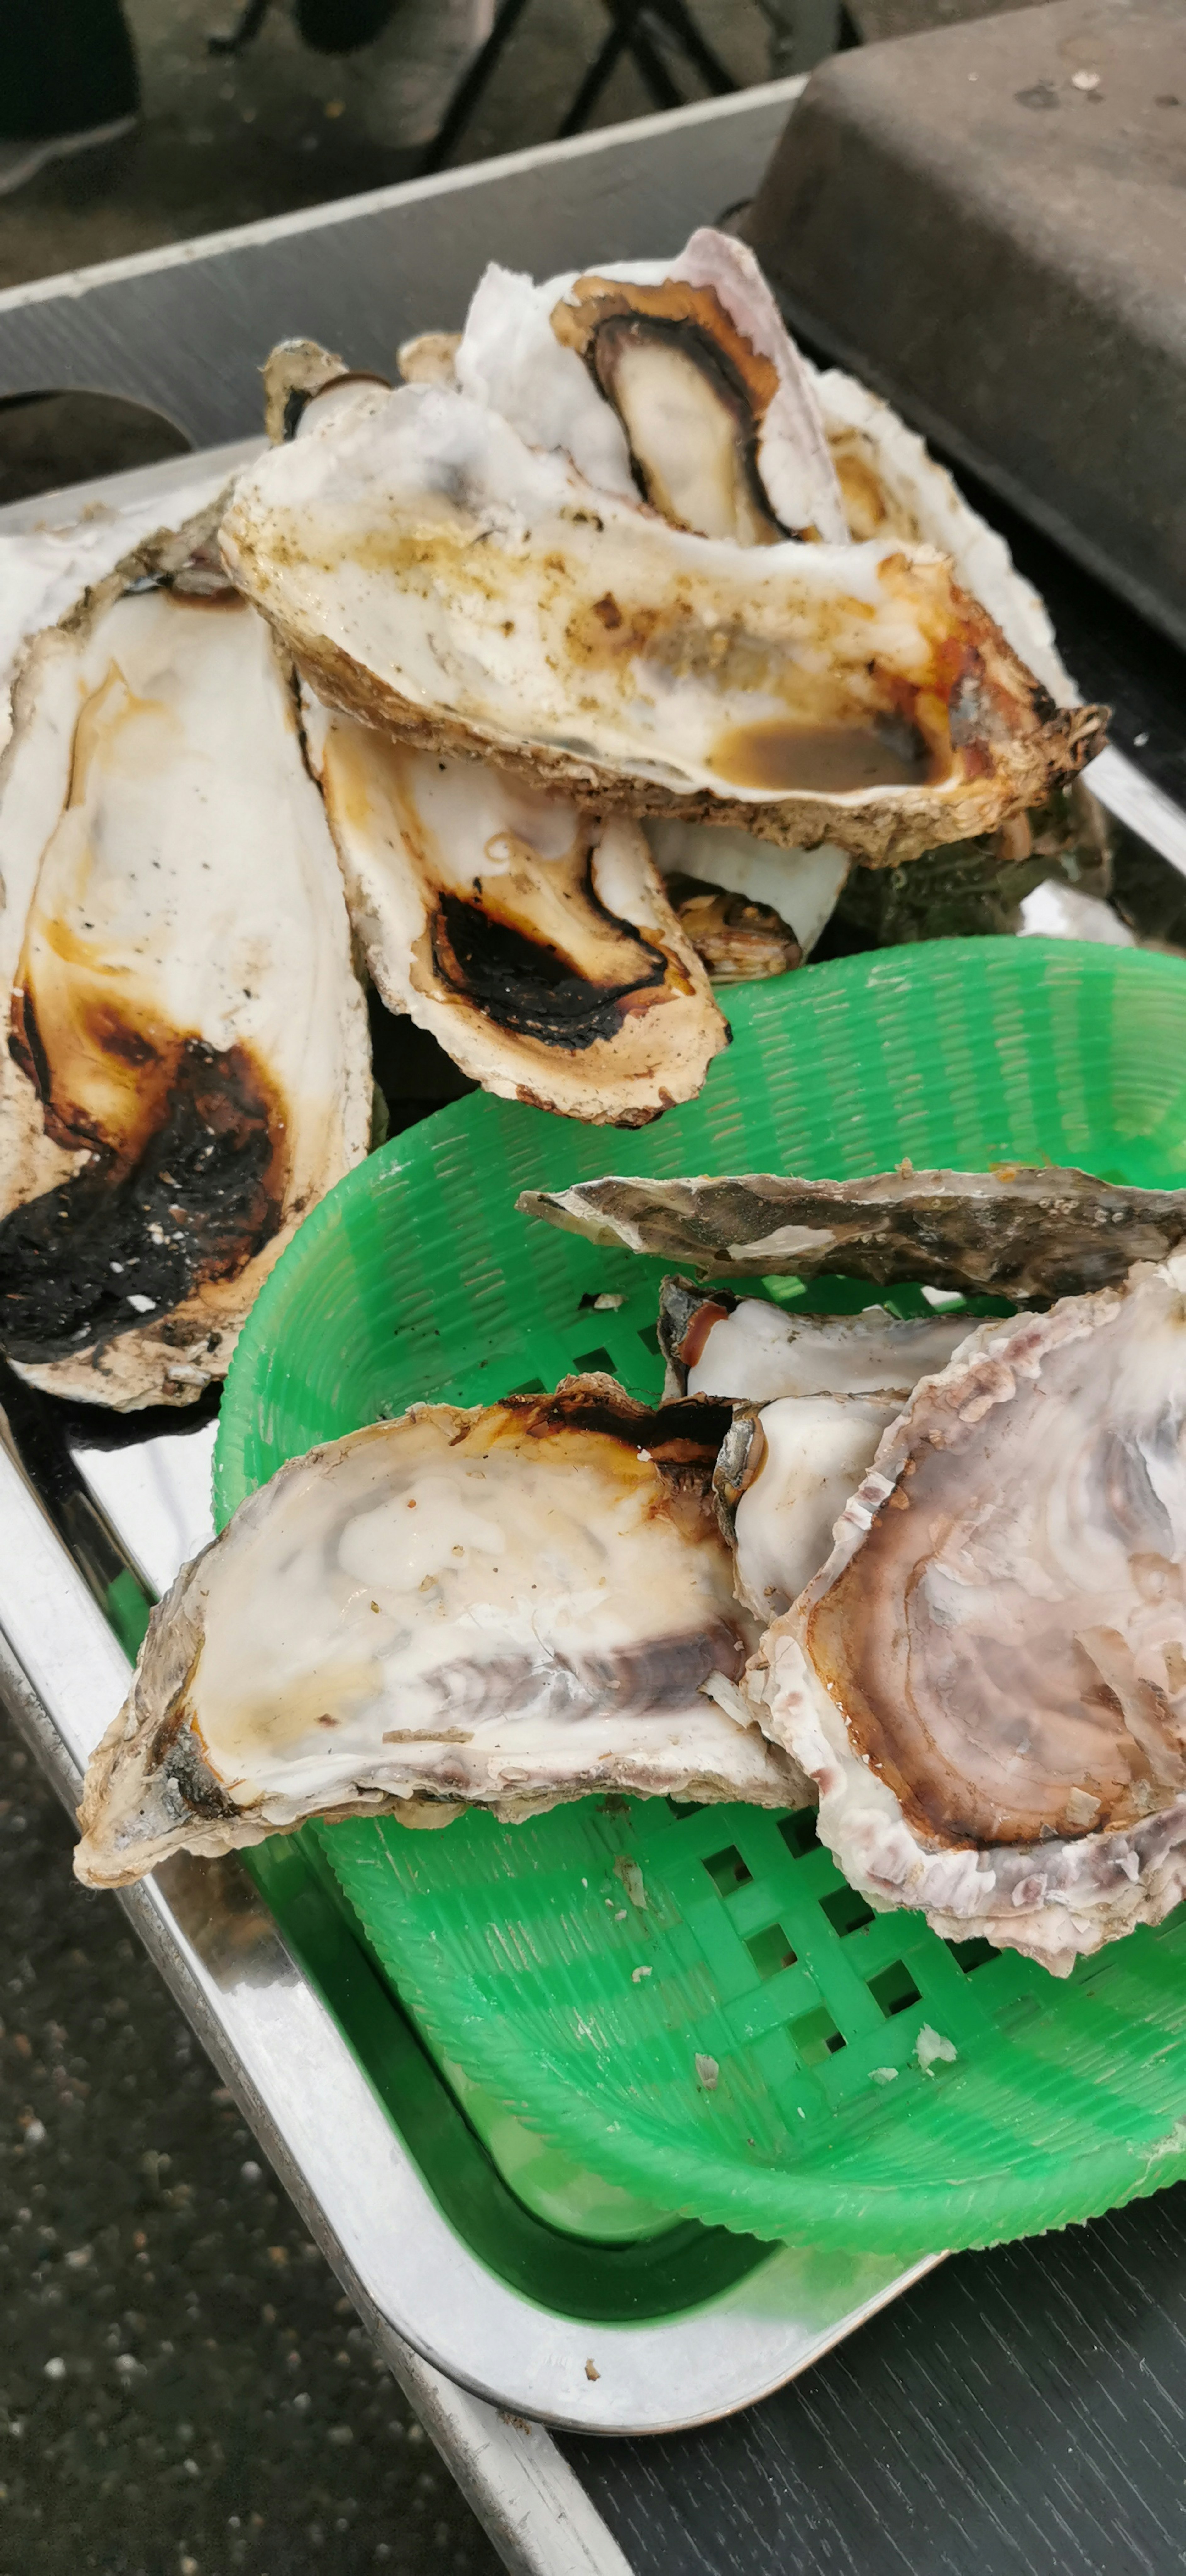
[279, 128]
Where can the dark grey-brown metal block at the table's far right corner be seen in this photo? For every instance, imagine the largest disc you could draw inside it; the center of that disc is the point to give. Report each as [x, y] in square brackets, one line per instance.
[992, 225]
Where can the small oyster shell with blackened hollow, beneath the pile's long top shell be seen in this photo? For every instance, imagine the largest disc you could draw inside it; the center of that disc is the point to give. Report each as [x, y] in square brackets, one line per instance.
[531, 939]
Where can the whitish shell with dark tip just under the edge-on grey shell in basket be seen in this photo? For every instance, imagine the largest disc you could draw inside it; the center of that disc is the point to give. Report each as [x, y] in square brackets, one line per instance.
[724, 1346]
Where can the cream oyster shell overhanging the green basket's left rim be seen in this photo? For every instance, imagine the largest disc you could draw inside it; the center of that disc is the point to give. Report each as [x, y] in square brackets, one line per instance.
[503, 1606]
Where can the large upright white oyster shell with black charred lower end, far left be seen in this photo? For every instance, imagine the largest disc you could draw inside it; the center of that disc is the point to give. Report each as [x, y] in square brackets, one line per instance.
[189, 1060]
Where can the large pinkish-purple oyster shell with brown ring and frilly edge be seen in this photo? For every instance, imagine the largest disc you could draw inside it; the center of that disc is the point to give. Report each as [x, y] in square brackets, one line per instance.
[989, 1676]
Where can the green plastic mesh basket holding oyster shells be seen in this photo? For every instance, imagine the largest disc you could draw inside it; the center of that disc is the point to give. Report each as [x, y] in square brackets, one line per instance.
[518, 1946]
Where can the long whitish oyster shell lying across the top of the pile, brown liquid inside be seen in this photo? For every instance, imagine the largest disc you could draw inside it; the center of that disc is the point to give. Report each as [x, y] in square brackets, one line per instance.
[457, 589]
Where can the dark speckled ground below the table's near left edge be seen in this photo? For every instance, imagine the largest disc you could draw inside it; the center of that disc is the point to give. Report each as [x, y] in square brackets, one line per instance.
[184, 2389]
